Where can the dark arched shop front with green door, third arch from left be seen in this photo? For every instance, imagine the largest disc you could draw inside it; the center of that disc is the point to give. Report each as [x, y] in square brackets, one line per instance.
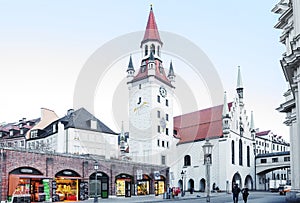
[102, 185]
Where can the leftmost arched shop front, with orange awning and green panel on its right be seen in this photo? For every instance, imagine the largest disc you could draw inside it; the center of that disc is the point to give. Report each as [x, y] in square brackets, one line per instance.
[27, 184]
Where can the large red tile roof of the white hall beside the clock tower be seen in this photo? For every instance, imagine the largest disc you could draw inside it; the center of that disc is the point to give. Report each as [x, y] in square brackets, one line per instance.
[199, 125]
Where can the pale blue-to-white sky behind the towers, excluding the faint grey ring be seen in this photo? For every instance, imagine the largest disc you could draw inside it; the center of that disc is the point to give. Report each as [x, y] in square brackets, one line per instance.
[45, 44]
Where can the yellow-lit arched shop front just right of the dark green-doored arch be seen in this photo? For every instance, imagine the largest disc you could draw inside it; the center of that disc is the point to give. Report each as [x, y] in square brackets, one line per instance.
[123, 185]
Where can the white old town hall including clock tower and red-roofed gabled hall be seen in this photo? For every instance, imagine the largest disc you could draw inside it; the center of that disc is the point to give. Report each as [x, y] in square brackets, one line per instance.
[158, 137]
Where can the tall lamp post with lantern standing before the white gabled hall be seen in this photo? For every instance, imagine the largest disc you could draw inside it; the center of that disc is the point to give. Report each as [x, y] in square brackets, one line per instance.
[207, 149]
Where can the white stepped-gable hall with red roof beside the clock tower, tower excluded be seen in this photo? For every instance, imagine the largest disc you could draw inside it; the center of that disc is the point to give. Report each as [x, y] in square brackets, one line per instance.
[227, 127]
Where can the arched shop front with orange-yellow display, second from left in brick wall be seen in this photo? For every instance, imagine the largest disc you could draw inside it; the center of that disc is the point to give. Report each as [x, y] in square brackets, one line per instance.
[66, 186]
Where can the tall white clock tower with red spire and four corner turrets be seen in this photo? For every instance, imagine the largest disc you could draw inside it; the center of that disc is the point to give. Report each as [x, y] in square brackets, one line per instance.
[151, 93]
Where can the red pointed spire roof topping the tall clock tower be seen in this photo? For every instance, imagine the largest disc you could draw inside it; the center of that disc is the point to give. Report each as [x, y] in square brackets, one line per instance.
[151, 32]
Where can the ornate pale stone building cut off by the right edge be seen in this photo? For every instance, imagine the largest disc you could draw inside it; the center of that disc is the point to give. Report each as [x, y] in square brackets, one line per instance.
[289, 23]
